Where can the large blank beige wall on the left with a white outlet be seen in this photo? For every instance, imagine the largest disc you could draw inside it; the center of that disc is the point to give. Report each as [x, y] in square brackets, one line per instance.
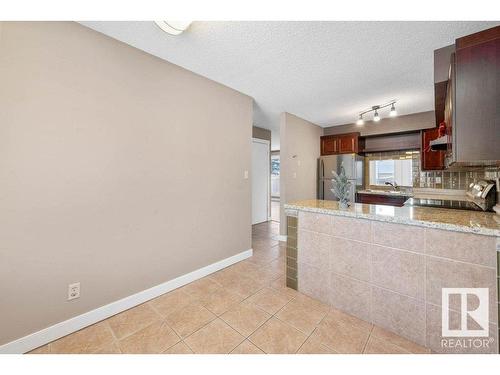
[118, 170]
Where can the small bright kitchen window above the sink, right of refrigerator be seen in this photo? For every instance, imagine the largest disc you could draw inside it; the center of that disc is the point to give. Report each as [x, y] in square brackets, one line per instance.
[391, 170]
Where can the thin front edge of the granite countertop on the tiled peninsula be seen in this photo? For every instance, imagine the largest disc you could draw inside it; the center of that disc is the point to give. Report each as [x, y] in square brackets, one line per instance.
[395, 220]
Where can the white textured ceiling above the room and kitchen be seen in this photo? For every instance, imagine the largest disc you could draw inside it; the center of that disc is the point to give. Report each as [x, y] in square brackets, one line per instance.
[325, 72]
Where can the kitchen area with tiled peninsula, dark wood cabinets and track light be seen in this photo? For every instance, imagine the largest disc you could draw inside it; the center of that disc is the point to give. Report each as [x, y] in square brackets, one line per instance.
[423, 213]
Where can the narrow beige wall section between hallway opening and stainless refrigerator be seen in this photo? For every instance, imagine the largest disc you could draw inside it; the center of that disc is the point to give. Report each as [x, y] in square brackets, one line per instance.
[299, 138]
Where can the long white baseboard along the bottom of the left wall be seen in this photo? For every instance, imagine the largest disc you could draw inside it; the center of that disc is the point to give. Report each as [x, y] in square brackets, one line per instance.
[46, 335]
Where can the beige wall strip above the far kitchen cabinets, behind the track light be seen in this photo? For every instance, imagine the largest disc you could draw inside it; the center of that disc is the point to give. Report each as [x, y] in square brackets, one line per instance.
[415, 121]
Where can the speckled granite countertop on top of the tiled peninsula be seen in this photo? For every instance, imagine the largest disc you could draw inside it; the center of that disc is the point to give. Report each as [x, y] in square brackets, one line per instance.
[485, 223]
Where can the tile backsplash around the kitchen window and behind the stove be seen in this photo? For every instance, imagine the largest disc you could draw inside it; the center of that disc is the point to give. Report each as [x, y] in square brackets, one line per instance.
[455, 180]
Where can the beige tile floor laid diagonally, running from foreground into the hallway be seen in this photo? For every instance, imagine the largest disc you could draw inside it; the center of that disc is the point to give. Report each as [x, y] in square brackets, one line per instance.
[242, 309]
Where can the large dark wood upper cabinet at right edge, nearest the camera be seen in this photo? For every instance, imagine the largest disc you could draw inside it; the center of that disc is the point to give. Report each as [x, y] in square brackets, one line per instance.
[476, 127]
